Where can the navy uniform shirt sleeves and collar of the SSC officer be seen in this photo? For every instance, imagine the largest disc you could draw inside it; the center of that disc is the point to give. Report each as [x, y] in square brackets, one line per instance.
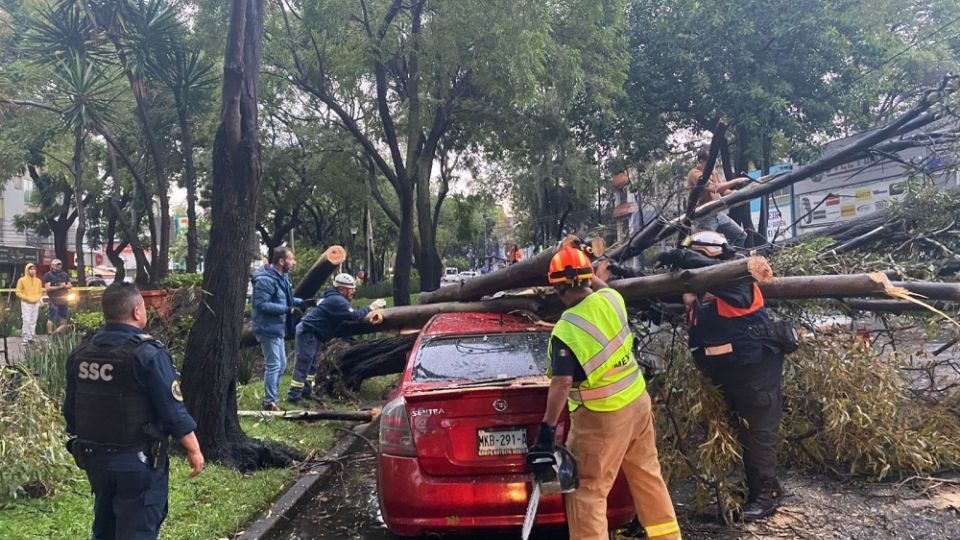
[153, 371]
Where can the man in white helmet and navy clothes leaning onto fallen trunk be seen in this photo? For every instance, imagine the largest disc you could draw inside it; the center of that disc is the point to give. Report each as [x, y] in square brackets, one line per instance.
[320, 325]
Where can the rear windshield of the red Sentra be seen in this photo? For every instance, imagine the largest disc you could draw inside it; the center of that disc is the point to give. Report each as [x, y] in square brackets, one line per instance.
[498, 357]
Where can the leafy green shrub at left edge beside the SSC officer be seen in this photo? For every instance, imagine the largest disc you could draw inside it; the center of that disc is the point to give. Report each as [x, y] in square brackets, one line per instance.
[32, 445]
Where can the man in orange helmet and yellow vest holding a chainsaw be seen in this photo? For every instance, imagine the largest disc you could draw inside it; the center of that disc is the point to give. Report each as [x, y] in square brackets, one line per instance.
[593, 371]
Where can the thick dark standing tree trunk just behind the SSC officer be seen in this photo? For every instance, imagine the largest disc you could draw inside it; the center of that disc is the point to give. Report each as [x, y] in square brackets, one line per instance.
[210, 363]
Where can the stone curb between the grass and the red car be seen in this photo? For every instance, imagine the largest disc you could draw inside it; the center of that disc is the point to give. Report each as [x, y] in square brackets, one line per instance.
[271, 519]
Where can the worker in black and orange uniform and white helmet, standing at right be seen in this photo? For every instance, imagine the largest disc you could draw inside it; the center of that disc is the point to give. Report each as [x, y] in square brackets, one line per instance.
[732, 344]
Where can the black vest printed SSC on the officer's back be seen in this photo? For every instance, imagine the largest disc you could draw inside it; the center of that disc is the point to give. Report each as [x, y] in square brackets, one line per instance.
[110, 407]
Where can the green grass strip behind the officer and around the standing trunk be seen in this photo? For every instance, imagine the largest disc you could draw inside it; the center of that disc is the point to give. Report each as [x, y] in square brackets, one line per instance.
[217, 504]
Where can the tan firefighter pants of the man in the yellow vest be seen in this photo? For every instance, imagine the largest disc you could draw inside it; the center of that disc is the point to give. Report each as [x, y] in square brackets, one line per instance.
[603, 443]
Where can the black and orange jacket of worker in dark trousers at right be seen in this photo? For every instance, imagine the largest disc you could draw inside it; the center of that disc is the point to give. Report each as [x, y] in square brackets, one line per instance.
[713, 329]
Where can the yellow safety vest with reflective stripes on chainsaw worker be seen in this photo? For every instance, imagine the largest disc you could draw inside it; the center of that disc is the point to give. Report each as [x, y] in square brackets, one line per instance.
[597, 332]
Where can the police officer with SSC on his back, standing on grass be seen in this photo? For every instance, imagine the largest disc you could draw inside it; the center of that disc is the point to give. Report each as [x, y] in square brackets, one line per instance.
[122, 404]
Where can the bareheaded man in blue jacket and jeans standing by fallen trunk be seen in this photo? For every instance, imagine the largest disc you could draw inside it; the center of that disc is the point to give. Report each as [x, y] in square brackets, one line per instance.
[272, 317]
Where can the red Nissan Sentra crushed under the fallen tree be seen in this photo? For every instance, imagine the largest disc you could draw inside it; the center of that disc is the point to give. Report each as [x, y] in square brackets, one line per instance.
[453, 438]
